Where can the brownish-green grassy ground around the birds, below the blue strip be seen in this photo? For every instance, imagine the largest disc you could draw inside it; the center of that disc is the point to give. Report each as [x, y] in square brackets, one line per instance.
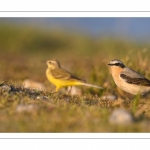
[22, 52]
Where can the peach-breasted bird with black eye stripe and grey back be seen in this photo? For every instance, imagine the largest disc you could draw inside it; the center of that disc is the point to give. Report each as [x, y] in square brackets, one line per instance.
[128, 79]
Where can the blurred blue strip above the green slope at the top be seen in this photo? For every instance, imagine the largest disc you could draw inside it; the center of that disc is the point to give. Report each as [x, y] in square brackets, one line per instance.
[135, 28]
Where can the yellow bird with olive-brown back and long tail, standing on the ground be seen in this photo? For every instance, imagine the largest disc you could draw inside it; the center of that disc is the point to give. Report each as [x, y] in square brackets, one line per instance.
[62, 78]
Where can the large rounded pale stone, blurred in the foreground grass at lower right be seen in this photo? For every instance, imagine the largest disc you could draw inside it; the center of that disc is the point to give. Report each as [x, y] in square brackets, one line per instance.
[120, 116]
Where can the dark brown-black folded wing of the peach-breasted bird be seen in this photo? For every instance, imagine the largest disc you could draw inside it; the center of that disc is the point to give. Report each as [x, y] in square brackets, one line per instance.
[137, 81]
